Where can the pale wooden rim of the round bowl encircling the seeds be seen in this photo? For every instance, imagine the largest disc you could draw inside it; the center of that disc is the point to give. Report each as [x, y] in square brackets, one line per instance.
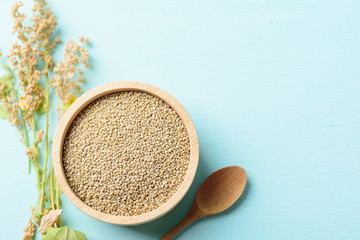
[82, 102]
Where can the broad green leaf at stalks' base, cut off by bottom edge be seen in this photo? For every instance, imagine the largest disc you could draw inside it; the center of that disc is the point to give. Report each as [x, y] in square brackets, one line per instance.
[63, 233]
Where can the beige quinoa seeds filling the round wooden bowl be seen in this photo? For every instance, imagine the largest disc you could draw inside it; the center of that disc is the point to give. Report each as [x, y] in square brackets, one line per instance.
[126, 153]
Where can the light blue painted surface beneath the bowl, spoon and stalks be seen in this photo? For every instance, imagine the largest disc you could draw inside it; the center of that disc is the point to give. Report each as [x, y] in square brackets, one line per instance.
[273, 86]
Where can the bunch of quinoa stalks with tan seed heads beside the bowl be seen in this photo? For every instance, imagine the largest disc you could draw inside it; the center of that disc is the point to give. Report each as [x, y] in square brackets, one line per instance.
[25, 98]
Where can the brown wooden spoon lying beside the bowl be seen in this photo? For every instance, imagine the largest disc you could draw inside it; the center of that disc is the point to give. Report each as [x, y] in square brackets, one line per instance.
[217, 193]
